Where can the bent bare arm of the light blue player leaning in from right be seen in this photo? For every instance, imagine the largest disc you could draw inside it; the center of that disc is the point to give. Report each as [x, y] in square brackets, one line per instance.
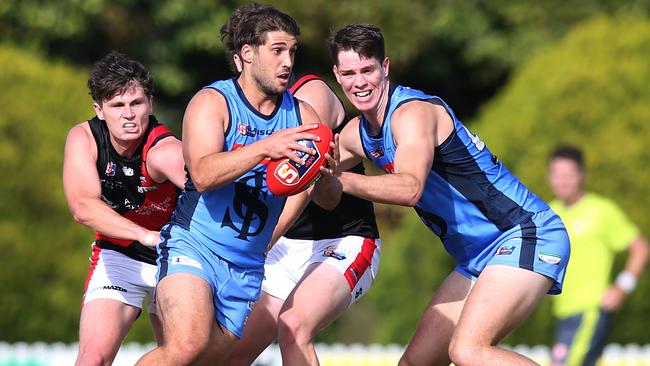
[414, 130]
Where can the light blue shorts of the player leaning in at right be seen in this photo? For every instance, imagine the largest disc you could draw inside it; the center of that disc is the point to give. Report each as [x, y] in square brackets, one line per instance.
[540, 244]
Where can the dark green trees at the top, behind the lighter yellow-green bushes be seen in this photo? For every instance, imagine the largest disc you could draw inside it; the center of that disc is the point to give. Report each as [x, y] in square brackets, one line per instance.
[462, 50]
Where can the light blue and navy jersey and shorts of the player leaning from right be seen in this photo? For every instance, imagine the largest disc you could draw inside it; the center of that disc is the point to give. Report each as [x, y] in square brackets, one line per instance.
[472, 202]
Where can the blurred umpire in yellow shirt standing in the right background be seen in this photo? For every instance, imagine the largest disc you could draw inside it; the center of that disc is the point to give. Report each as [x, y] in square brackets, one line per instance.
[598, 229]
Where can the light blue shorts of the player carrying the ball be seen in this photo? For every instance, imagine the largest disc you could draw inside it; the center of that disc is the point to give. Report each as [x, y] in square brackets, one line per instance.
[234, 289]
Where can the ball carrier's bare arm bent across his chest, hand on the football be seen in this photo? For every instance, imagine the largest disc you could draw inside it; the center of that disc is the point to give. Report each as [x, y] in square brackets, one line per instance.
[204, 125]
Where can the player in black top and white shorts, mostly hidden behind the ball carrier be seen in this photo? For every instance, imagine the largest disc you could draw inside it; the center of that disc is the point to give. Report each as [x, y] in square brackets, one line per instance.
[326, 261]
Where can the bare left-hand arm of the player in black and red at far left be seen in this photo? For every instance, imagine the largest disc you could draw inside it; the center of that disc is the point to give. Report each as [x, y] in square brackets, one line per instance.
[83, 190]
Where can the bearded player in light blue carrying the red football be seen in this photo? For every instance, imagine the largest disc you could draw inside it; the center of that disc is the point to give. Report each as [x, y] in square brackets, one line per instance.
[211, 258]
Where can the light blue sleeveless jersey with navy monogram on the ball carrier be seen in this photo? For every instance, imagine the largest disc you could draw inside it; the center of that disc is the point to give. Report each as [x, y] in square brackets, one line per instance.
[236, 221]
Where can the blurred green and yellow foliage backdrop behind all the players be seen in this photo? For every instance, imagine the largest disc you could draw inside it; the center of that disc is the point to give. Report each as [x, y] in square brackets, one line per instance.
[524, 75]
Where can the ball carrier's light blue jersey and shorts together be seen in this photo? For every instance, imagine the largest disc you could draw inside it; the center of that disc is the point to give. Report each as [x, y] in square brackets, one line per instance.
[221, 235]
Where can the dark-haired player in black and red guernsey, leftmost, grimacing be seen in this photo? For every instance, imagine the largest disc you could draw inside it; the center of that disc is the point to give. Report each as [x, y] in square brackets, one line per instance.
[122, 173]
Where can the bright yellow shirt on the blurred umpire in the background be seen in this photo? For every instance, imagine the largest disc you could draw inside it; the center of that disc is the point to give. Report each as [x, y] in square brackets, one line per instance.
[598, 229]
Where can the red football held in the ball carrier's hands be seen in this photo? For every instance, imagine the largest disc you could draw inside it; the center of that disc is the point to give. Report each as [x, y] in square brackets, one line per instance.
[285, 177]
